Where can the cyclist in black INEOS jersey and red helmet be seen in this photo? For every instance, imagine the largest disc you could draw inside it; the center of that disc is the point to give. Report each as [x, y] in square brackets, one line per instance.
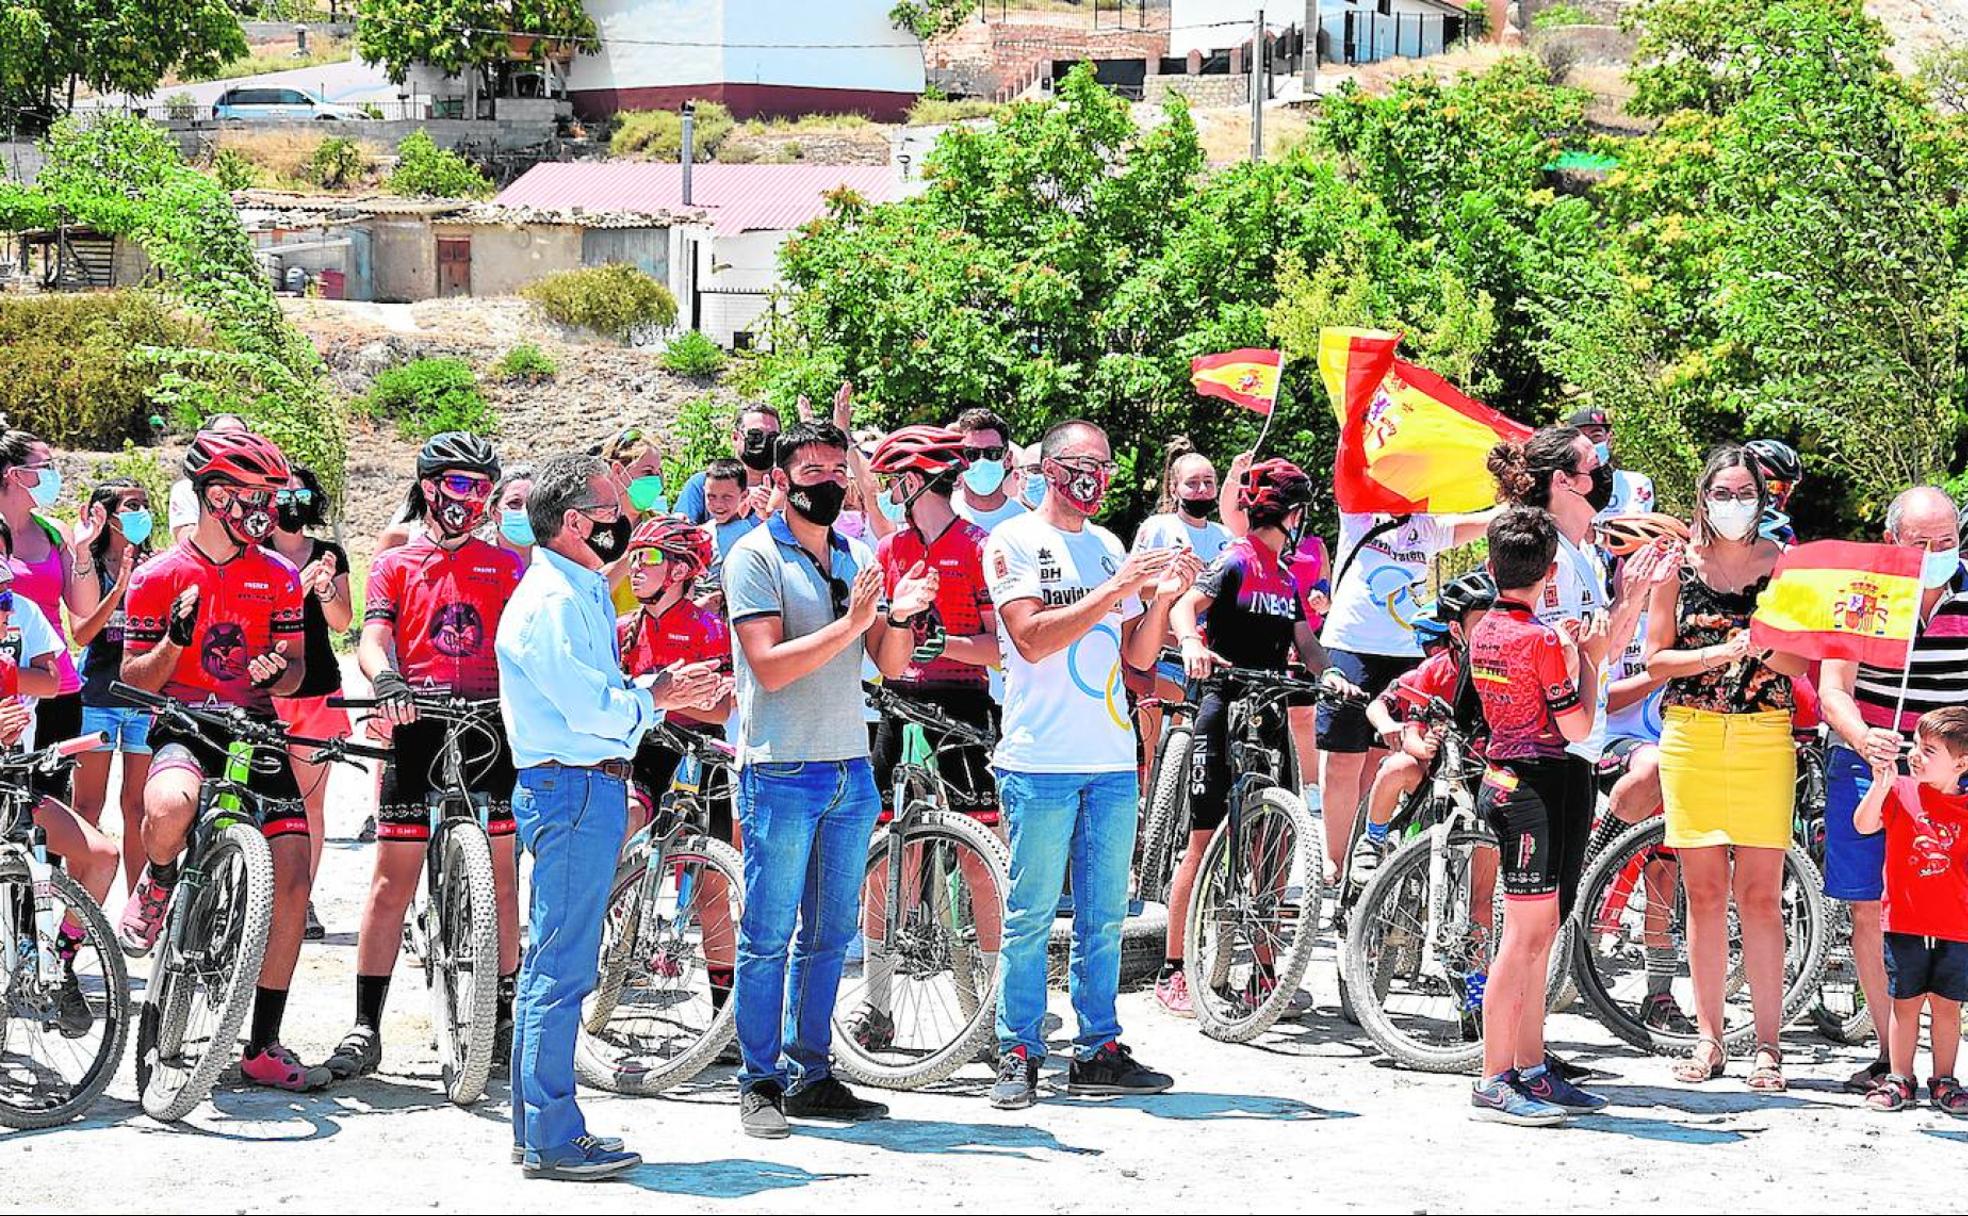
[1255, 619]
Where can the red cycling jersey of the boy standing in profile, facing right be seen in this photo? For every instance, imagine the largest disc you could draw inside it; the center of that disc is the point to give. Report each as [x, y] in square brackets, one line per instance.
[1518, 666]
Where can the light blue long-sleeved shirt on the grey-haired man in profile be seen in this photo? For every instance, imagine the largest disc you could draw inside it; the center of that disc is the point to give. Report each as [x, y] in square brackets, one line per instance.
[560, 676]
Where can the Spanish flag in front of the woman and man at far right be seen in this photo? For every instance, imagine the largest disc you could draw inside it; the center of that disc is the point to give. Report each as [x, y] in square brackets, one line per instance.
[1843, 601]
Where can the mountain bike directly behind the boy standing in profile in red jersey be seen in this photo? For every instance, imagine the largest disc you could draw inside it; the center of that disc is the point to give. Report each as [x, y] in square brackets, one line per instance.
[1426, 926]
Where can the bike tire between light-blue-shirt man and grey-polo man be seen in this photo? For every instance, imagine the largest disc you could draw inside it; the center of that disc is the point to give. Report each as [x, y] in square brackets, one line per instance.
[633, 902]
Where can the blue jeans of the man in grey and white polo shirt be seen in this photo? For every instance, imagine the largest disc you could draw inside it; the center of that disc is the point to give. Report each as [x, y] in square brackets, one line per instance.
[806, 849]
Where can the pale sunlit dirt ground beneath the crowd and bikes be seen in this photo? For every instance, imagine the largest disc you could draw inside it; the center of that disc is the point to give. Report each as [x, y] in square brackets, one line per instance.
[1306, 1119]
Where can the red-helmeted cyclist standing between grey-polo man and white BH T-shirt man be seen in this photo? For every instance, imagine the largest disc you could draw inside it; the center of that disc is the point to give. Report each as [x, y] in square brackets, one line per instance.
[940, 660]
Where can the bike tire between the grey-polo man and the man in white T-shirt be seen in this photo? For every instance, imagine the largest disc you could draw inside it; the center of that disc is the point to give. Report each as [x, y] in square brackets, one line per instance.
[979, 1004]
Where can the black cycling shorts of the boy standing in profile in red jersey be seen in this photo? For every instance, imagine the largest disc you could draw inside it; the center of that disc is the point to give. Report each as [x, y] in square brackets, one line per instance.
[1542, 814]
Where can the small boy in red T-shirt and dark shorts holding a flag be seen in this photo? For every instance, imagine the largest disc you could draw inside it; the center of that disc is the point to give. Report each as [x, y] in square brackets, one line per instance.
[1926, 914]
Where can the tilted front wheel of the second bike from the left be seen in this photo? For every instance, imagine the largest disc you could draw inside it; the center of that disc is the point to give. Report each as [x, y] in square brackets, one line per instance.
[204, 981]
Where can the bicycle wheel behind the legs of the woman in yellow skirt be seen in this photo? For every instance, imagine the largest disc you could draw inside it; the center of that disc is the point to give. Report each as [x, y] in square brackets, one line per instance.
[1619, 916]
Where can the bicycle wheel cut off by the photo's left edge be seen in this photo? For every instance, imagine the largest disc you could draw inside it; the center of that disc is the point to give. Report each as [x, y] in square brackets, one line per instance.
[46, 1075]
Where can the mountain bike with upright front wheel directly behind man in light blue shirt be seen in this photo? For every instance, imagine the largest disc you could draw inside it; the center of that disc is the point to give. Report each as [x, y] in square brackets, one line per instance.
[452, 930]
